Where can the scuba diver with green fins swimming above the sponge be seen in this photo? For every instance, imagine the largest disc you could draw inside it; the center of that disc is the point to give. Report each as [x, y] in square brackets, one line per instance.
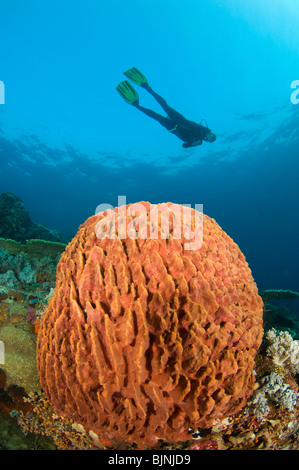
[190, 132]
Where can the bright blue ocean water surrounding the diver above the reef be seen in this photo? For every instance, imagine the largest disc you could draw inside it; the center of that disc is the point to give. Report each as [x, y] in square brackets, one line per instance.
[68, 142]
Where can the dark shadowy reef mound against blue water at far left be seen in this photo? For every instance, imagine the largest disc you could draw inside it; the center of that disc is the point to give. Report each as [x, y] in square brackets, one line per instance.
[15, 222]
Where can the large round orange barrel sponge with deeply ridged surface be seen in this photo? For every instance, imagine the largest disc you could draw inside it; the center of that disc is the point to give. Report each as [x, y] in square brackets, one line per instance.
[149, 336]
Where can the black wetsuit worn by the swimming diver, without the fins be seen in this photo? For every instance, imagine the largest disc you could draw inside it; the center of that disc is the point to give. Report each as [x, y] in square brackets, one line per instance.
[188, 131]
